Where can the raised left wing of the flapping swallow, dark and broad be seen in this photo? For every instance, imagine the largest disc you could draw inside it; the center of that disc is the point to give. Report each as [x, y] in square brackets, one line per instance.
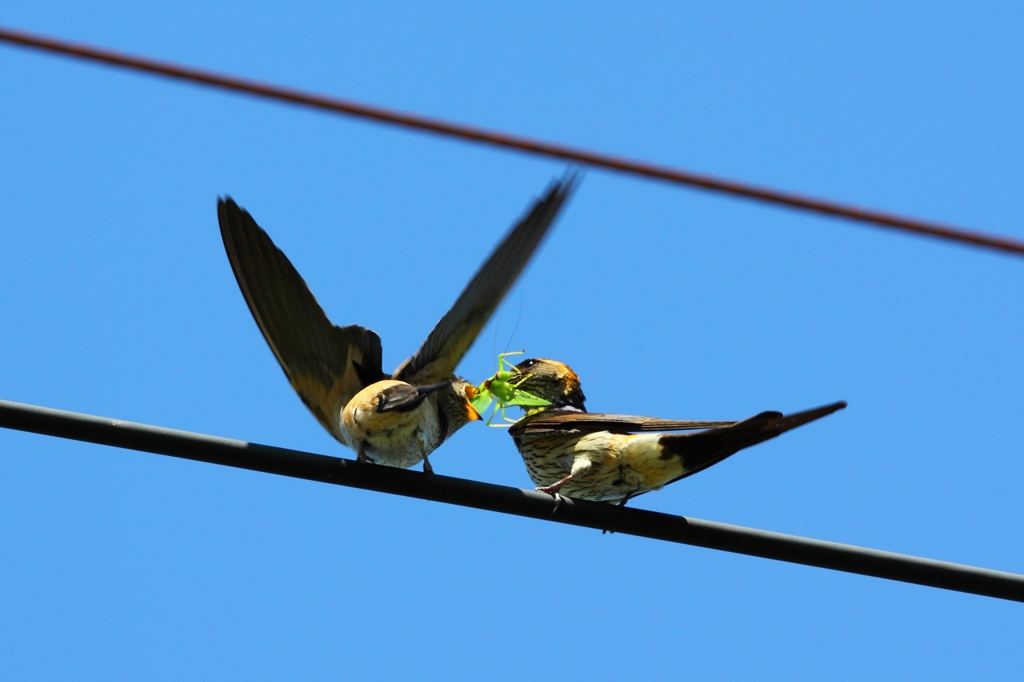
[326, 365]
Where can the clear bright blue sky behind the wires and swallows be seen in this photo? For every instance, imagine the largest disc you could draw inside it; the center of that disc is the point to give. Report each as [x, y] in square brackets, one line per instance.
[117, 301]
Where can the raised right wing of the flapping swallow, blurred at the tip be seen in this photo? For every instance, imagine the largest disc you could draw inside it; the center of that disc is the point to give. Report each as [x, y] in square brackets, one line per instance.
[452, 337]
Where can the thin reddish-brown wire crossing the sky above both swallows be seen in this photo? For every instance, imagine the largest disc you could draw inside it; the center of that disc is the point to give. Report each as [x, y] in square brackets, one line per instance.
[507, 141]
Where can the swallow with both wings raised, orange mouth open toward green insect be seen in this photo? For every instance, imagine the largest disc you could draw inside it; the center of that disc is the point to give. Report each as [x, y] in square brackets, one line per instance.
[395, 420]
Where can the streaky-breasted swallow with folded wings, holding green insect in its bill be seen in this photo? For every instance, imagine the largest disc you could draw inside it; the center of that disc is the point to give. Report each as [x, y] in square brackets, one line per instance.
[613, 458]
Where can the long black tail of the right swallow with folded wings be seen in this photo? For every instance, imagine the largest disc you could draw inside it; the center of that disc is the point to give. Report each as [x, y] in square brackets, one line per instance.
[700, 451]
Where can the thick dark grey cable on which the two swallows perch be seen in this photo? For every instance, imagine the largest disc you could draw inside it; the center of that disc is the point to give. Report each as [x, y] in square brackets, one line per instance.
[513, 501]
